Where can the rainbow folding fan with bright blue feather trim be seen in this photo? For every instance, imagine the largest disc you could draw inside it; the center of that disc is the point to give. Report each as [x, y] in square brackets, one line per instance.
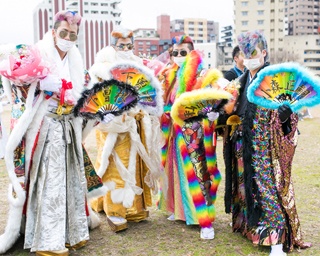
[287, 83]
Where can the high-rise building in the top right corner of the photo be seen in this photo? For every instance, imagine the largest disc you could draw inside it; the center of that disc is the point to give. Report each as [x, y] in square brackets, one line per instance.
[302, 17]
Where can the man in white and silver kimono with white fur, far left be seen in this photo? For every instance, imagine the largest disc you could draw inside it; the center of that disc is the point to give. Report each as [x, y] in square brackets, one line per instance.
[49, 184]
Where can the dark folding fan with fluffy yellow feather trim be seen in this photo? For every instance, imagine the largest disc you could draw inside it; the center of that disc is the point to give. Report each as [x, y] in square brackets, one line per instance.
[197, 103]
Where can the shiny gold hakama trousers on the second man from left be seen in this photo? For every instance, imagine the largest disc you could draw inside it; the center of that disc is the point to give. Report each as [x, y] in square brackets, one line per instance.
[141, 202]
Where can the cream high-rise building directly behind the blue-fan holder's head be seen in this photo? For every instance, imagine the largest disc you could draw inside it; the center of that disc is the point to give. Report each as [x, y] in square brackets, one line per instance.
[264, 15]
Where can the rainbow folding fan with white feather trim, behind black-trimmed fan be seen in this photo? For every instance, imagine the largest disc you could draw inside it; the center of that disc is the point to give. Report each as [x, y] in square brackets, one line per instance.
[144, 81]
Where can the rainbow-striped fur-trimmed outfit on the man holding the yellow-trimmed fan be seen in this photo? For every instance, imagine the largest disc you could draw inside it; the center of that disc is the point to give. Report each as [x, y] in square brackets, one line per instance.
[184, 196]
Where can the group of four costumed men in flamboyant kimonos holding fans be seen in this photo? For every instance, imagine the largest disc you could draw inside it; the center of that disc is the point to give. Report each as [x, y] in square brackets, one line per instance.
[156, 132]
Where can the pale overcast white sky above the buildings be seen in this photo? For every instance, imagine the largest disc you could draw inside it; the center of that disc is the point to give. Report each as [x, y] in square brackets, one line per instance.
[16, 15]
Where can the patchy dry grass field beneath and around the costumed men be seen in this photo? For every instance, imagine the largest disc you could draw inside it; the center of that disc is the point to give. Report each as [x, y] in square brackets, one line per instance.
[158, 236]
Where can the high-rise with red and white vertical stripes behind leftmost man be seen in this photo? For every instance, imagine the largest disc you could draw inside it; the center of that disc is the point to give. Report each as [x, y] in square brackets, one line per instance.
[98, 20]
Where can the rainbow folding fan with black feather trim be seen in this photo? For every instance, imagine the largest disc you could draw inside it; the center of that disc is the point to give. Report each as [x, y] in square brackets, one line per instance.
[107, 97]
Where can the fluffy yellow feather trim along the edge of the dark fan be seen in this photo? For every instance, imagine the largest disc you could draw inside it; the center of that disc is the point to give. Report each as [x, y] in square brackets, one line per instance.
[192, 99]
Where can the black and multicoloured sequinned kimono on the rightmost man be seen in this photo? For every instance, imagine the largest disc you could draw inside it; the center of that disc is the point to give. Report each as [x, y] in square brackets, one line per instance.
[259, 189]
